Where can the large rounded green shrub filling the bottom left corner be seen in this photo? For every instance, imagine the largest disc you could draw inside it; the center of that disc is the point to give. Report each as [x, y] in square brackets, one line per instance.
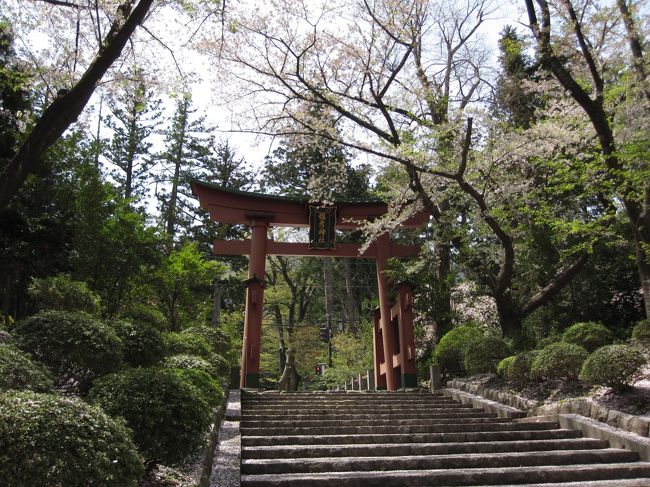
[50, 440]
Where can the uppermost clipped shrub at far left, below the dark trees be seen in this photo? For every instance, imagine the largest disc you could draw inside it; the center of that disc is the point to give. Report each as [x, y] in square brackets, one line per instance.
[62, 293]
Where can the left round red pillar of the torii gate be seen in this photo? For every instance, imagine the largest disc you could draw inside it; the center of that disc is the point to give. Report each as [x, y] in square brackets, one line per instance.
[250, 360]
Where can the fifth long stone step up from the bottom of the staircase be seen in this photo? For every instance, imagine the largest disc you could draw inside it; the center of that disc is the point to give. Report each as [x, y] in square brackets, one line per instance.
[470, 424]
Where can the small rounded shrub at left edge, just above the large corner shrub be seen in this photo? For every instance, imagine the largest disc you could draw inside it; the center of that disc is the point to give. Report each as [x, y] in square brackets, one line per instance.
[19, 371]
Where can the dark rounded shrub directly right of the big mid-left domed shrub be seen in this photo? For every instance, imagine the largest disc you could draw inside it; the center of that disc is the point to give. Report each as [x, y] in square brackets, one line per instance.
[143, 344]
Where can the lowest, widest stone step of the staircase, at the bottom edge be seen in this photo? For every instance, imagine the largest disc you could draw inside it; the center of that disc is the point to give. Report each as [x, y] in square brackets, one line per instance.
[585, 474]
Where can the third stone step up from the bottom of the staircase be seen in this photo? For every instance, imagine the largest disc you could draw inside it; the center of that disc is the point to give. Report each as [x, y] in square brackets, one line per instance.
[408, 449]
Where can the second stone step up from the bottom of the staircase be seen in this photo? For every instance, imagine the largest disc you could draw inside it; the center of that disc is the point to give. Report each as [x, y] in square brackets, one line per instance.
[431, 462]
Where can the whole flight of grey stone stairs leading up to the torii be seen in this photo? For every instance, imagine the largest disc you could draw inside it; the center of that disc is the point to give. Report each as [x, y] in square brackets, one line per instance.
[415, 439]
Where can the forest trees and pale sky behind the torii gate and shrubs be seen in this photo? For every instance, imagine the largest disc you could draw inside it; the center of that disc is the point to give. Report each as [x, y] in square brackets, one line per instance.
[532, 163]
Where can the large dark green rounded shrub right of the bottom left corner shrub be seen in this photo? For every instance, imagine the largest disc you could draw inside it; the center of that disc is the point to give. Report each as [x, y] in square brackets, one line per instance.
[167, 414]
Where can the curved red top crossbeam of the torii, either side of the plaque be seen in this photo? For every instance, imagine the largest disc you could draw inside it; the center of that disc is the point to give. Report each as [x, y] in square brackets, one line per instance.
[240, 207]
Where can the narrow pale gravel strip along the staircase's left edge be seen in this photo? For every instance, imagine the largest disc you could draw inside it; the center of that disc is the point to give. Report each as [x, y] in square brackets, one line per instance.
[227, 455]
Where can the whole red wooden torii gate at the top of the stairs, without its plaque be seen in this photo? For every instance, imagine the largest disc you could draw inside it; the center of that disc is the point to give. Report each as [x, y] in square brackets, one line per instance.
[394, 348]
